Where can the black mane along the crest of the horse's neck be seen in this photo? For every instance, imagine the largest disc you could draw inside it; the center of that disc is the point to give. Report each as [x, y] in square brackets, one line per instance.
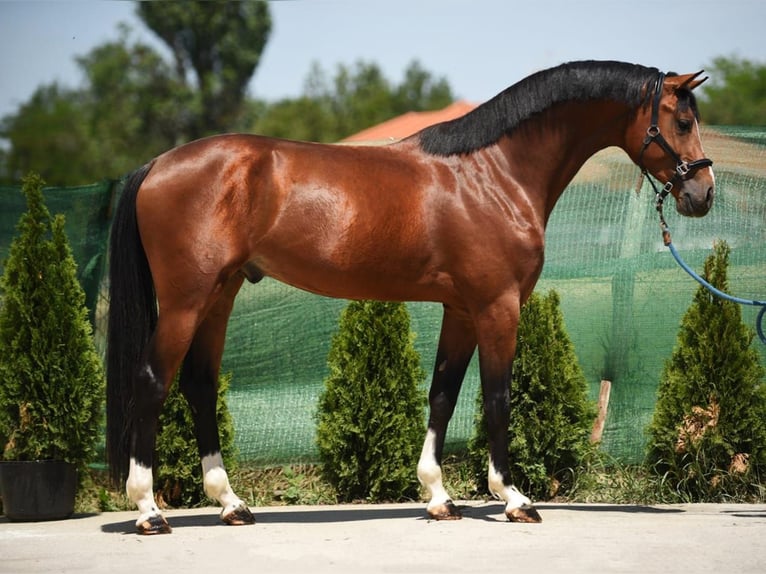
[575, 81]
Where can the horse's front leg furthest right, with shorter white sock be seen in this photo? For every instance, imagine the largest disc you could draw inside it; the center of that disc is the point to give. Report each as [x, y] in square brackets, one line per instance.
[497, 345]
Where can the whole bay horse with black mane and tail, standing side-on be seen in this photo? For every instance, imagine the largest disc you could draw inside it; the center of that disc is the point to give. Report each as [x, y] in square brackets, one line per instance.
[454, 214]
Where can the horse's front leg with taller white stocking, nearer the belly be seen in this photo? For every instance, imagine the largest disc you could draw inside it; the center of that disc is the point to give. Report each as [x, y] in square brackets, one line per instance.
[456, 347]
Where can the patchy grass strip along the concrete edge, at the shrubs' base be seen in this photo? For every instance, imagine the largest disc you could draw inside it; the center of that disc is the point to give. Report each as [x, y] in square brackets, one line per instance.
[601, 480]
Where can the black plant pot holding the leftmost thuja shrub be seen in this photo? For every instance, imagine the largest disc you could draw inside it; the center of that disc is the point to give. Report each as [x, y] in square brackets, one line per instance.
[38, 490]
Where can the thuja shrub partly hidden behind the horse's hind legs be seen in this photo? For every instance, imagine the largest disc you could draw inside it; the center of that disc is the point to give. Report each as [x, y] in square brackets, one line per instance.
[178, 468]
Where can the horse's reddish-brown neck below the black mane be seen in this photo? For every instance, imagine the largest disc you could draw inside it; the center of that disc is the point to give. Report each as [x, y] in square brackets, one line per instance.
[546, 152]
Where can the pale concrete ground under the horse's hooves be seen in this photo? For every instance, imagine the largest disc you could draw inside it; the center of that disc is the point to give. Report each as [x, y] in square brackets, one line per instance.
[397, 538]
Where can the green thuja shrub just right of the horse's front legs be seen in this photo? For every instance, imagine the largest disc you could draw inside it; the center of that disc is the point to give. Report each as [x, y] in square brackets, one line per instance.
[551, 415]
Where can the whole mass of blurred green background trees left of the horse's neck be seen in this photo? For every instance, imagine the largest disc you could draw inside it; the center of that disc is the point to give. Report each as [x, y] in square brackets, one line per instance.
[133, 104]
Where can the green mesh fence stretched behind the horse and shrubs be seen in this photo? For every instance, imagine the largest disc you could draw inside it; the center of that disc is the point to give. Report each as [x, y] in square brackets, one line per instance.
[622, 296]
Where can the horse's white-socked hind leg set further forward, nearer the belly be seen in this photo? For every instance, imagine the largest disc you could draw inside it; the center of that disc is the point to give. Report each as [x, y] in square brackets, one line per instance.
[199, 384]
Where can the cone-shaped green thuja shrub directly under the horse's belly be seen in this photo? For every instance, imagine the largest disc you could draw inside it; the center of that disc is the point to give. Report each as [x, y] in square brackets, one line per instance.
[370, 420]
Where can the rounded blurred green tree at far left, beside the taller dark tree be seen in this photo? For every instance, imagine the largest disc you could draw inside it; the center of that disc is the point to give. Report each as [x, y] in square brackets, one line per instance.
[129, 109]
